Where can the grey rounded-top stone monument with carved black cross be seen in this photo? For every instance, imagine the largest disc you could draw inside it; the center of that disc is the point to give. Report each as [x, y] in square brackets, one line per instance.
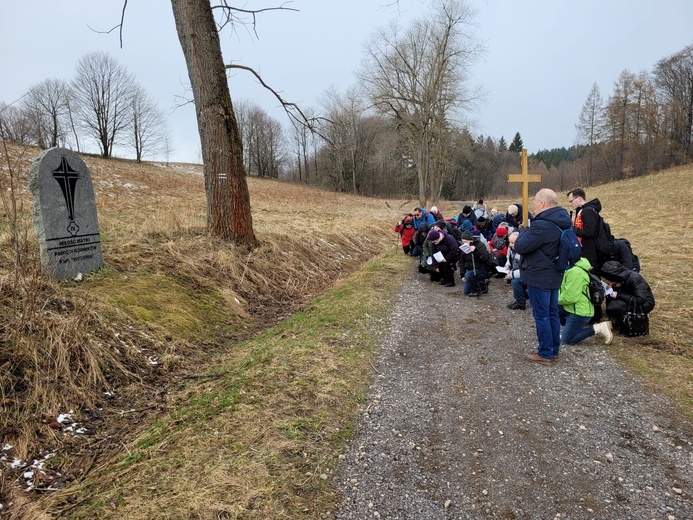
[65, 217]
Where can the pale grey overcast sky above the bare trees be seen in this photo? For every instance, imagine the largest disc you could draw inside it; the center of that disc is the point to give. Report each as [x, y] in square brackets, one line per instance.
[543, 56]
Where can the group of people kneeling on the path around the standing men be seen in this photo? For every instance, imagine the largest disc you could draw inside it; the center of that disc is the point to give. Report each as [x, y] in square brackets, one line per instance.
[488, 251]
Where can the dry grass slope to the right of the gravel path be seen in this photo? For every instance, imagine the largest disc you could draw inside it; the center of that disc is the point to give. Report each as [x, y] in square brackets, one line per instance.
[652, 212]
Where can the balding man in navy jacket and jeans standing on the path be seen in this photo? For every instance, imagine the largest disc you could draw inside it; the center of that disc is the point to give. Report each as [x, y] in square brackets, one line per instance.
[538, 245]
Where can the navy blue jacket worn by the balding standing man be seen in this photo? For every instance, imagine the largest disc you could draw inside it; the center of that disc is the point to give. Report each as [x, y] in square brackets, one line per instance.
[538, 245]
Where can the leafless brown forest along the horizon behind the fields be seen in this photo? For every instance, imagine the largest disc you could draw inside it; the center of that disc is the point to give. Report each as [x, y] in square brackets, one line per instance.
[350, 145]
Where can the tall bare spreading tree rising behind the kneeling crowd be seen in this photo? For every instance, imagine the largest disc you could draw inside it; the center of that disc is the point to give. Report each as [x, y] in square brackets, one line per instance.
[419, 77]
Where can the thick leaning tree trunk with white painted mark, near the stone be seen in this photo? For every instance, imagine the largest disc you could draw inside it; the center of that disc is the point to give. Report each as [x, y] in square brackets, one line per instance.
[228, 199]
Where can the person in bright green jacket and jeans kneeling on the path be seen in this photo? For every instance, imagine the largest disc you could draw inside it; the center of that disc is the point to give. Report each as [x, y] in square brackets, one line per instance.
[573, 298]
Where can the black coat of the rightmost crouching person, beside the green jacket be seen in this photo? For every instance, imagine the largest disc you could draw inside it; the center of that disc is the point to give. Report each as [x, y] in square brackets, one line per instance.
[633, 285]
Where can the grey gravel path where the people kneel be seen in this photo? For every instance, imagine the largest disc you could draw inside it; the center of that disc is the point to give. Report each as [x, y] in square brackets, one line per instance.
[458, 425]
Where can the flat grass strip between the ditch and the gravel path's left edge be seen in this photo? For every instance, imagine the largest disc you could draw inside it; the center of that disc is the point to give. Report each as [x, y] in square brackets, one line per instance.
[258, 434]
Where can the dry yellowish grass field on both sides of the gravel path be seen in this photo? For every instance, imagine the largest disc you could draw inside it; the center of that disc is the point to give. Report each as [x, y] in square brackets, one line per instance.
[262, 358]
